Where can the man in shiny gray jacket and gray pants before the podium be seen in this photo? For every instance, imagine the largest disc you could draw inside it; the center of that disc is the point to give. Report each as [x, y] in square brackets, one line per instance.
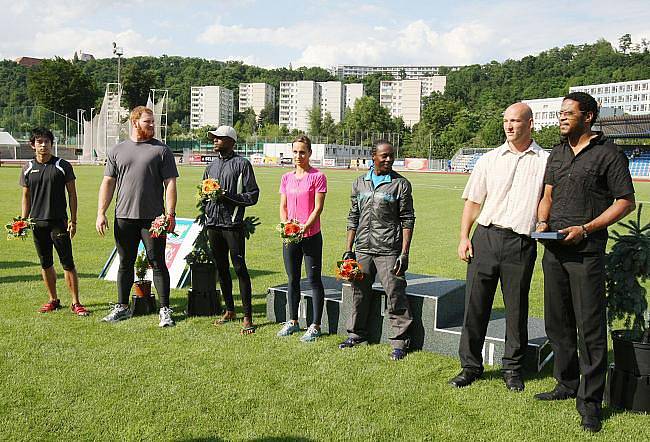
[380, 227]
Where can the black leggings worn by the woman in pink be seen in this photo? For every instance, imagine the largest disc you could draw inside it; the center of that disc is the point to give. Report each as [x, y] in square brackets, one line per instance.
[312, 250]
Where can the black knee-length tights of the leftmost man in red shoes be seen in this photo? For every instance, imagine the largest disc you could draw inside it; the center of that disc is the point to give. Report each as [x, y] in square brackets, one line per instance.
[49, 234]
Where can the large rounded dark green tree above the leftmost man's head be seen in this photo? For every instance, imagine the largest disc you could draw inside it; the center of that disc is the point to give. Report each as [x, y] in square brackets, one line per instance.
[60, 86]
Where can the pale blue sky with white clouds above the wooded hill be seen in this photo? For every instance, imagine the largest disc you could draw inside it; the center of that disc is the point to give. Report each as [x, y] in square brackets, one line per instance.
[318, 32]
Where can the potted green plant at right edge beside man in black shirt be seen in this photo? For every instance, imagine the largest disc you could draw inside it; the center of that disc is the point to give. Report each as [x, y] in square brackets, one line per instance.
[627, 267]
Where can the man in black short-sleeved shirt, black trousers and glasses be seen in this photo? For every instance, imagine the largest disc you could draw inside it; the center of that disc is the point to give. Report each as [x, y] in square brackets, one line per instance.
[587, 188]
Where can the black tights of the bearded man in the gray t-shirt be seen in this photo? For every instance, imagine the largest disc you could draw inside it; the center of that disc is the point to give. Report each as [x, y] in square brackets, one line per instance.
[128, 233]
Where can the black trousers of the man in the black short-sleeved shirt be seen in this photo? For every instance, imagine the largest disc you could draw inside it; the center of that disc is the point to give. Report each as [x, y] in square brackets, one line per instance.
[574, 298]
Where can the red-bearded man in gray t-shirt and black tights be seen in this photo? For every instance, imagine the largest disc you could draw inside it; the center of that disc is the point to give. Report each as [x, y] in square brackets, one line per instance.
[141, 168]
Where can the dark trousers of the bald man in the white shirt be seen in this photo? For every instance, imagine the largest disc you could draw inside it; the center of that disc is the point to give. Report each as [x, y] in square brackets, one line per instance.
[499, 255]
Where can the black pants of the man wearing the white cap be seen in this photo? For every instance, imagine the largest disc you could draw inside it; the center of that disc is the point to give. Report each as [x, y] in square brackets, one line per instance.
[231, 241]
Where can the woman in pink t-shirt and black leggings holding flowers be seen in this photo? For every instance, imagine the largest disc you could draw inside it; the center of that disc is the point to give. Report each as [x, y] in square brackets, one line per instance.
[302, 195]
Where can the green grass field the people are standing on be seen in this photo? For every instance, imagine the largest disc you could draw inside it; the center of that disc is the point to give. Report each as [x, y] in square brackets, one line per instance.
[69, 378]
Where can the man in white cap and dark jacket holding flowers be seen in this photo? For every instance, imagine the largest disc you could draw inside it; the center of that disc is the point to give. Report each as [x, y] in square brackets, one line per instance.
[224, 220]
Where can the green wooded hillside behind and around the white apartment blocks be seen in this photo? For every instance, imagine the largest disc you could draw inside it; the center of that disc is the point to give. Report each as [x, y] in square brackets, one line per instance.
[467, 114]
